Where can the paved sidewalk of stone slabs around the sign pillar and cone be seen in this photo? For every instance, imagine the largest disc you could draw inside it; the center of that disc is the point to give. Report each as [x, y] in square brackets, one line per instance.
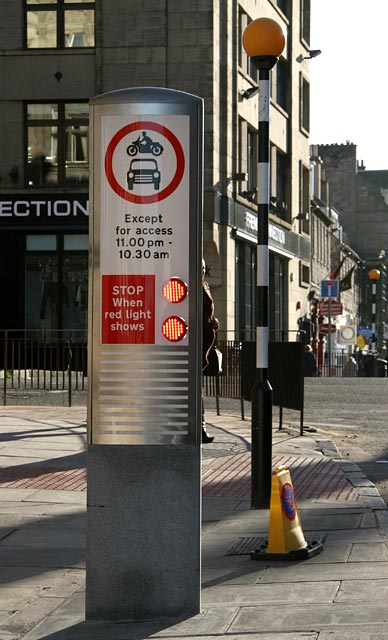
[340, 594]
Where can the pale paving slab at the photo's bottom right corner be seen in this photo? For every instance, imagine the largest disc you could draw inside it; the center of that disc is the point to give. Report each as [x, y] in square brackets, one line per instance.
[310, 617]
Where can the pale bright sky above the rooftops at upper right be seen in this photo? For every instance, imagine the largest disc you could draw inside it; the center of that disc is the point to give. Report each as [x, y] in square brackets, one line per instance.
[349, 79]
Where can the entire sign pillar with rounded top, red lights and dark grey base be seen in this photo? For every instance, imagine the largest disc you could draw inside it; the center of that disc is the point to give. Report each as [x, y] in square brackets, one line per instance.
[145, 324]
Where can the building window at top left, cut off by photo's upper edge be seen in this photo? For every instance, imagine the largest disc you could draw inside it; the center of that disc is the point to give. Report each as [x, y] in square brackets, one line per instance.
[59, 24]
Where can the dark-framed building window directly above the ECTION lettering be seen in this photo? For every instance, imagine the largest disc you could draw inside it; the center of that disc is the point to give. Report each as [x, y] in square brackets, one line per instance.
[57, 144]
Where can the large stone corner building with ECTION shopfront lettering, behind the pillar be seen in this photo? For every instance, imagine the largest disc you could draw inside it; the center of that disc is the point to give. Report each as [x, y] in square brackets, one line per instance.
[56, 56]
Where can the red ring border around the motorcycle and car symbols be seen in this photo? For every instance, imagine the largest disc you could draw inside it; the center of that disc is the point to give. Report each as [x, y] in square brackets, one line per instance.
[180, 162]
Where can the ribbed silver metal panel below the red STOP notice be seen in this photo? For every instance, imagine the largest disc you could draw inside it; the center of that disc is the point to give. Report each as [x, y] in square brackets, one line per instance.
[143, 394]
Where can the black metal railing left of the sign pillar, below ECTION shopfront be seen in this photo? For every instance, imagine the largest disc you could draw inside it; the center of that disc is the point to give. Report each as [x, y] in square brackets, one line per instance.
[36, 362]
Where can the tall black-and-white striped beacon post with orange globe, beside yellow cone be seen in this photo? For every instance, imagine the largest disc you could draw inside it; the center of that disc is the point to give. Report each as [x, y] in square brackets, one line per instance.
[263, 41]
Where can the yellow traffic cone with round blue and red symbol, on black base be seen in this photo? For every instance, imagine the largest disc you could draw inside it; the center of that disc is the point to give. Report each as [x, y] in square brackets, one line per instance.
[286, 540]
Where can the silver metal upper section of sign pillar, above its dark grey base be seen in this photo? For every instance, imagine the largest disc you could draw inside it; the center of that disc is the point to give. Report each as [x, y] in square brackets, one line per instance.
[145, 231]
